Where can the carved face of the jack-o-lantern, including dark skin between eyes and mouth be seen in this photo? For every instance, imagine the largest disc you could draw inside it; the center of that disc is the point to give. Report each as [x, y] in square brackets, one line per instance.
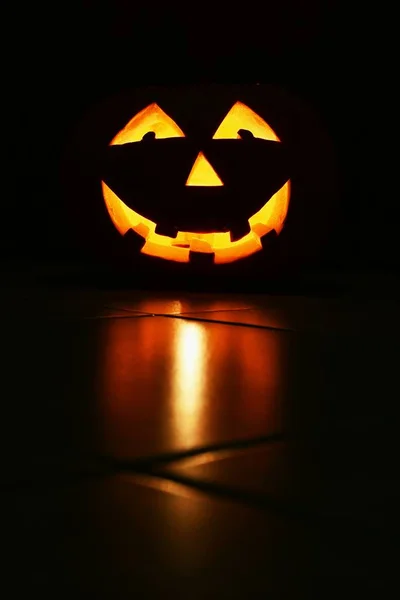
[223, 217]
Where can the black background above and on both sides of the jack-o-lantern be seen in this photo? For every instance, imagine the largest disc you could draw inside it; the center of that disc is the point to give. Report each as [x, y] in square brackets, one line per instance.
[62, 60]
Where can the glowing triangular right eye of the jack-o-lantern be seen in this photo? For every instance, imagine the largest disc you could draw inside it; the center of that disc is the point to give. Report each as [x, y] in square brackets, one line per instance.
[241, 117]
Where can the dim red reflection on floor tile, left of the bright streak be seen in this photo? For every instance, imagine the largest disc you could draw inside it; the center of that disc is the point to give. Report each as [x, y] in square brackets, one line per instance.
[134, 367]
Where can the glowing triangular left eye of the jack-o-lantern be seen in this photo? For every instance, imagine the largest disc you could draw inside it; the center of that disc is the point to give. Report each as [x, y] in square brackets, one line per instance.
[150, 119]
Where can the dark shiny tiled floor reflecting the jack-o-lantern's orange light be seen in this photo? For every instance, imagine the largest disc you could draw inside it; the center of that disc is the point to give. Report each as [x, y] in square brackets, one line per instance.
[198, 446]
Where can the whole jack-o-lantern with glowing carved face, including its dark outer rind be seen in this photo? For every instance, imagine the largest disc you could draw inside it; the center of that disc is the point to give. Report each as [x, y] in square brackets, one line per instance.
[216, 179]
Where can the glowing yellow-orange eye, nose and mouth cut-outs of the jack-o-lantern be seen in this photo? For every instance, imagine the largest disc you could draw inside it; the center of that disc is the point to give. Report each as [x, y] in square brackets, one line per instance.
[271, 216]
